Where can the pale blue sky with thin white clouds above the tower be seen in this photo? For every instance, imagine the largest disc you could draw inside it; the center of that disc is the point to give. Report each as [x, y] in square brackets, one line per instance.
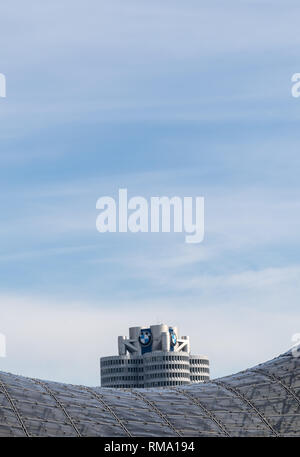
[173, 98]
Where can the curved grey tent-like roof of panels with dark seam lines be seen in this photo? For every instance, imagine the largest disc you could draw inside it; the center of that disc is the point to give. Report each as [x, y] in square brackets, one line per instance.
[261, 401]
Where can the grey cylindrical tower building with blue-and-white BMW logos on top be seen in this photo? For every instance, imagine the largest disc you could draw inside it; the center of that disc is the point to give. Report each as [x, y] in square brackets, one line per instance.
[153, 356]
